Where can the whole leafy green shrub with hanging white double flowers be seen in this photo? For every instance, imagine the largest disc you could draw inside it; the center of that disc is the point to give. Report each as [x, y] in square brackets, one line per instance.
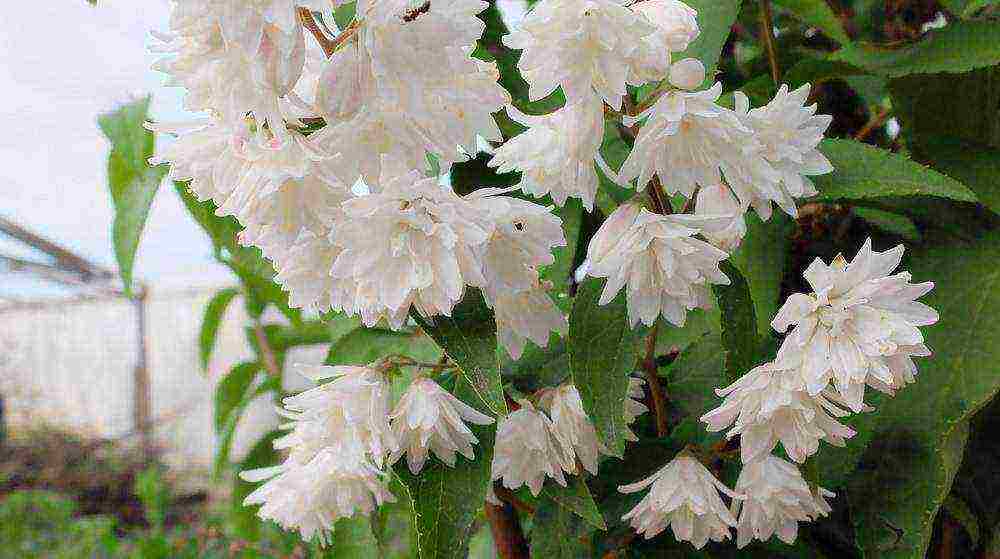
[555, 261]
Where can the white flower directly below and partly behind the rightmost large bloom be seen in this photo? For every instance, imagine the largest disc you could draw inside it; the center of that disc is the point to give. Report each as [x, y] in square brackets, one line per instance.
[770, 405]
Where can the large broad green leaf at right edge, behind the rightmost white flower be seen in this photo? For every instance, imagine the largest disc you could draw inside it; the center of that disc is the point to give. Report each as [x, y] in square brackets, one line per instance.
[916, 437]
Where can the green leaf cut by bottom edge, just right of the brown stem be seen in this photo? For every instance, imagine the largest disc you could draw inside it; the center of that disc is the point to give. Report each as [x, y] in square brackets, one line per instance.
[558, 532]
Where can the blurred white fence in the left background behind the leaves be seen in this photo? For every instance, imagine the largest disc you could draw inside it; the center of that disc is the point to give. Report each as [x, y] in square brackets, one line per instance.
[72, 365]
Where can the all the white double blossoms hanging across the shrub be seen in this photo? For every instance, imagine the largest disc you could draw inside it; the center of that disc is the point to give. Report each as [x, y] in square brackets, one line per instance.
[320, 148]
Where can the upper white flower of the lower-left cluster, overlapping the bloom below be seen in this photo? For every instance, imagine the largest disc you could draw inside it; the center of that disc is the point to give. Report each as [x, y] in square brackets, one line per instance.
[354, 404]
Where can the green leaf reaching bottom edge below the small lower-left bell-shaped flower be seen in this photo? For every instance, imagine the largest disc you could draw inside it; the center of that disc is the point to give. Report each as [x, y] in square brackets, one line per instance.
[444, 500]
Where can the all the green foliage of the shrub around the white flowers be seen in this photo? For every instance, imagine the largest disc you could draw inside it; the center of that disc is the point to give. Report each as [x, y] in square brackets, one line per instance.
[935, 184]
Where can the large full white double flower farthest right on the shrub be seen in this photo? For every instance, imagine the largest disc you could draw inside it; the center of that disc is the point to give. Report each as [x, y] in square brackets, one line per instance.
[859, 327]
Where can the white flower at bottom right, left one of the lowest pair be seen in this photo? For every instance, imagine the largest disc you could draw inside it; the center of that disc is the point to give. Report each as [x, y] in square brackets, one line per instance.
[685, 496]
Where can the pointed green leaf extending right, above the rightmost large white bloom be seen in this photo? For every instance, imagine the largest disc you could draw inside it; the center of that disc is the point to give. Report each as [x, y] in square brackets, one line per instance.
[863, 171]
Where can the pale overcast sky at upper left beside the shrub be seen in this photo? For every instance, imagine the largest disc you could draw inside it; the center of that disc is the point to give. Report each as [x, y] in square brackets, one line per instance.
[63, 64]
